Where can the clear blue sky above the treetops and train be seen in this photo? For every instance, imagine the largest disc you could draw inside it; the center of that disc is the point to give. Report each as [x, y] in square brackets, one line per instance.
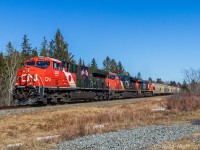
[158, 38]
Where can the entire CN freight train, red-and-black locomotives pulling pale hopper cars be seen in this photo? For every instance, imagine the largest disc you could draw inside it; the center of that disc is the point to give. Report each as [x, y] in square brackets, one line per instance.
[45, 80]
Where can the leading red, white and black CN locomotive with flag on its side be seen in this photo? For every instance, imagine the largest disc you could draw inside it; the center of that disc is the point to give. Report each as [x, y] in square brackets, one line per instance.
[45, 80]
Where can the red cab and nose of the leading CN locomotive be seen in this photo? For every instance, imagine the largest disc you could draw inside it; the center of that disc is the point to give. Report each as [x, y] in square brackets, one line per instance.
[51, 75]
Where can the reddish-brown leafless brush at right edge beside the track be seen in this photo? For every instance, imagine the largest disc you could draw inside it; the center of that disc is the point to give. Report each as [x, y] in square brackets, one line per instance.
[184, 102]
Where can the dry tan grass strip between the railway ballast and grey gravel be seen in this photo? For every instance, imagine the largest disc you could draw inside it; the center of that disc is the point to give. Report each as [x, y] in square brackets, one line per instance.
[74, 122]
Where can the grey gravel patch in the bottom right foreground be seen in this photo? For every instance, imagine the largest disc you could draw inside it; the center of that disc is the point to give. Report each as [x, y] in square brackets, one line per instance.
[136, 138]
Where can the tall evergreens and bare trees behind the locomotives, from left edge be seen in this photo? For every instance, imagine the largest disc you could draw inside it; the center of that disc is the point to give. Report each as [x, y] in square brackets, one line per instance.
[57, 48]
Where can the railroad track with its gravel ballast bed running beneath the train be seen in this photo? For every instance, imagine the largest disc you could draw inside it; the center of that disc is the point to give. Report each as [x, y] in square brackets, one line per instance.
[14, 110]
